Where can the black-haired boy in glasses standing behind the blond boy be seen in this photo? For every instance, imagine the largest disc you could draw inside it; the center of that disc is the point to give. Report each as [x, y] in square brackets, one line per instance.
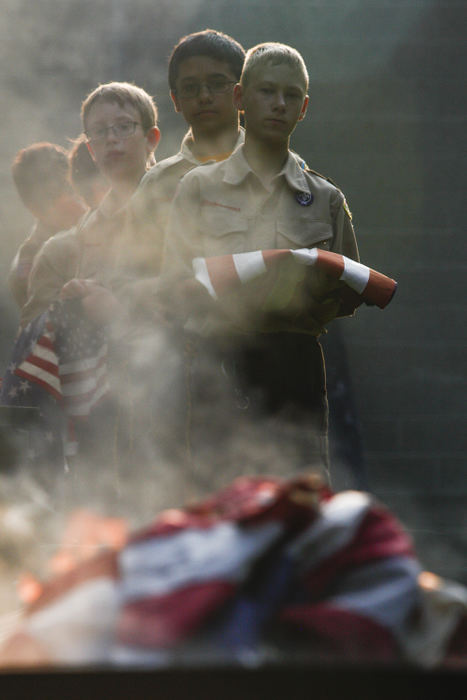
[203, 69]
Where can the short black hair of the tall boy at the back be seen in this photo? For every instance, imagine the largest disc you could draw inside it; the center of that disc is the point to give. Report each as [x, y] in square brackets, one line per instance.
[211, 43]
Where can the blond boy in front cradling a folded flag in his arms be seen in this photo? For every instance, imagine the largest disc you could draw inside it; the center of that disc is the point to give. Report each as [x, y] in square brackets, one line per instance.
[260, 198]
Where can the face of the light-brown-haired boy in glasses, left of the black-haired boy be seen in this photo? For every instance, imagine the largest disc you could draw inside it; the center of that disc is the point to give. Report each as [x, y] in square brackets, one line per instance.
[121, 153]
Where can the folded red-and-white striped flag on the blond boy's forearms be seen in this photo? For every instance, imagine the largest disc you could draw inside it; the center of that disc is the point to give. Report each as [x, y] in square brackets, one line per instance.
[223, 273]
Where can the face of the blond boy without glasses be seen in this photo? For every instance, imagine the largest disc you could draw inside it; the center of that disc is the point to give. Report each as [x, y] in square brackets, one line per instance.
[274, 100]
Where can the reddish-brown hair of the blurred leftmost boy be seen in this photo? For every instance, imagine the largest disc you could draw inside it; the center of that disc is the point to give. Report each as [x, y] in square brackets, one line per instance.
[41, 174]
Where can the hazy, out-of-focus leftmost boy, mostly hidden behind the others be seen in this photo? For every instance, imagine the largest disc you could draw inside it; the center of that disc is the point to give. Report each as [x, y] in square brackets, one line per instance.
[41, 174]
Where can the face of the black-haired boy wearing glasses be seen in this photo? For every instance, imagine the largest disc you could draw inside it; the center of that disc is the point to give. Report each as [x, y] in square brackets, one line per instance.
[204, 95]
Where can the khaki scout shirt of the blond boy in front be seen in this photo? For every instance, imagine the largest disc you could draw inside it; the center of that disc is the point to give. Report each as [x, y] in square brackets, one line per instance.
[225, 208]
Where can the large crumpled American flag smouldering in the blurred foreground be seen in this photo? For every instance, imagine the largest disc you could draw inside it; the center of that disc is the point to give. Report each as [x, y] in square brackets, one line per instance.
[263, 564]
